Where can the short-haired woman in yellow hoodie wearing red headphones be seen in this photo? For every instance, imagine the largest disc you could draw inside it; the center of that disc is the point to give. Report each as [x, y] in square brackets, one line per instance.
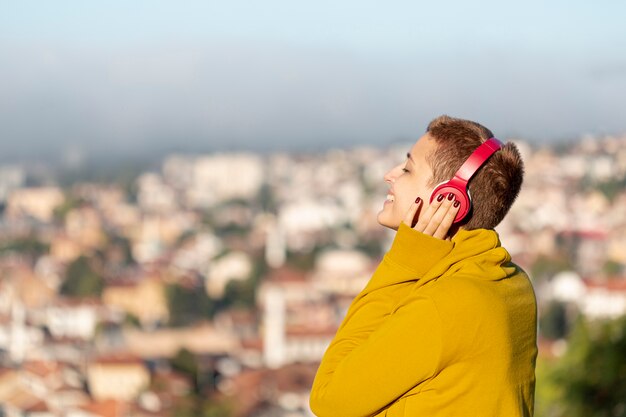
[447, 324]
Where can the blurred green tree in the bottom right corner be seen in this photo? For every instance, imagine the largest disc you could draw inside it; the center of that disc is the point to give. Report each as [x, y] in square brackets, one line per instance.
[592, 373]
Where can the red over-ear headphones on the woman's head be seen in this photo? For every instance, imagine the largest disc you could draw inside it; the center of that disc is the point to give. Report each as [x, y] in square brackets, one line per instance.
[458, 184]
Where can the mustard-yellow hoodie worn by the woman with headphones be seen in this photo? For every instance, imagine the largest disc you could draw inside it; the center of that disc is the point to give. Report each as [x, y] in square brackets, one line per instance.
[443, 328]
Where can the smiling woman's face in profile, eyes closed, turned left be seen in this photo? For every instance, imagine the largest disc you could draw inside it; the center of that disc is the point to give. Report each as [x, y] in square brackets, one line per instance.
[407, 181]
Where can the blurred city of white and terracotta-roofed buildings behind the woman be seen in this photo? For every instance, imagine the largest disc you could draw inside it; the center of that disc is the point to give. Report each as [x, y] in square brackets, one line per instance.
[212, 285]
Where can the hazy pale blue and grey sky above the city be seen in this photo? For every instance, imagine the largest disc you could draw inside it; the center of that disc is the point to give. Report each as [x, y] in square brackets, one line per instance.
[118, 77]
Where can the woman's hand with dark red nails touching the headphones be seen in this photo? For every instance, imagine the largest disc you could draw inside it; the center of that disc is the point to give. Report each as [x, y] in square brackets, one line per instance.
[437, 220]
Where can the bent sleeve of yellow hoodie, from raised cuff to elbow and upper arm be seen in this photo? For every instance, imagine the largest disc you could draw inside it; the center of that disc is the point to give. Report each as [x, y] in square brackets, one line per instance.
[377, 356]
